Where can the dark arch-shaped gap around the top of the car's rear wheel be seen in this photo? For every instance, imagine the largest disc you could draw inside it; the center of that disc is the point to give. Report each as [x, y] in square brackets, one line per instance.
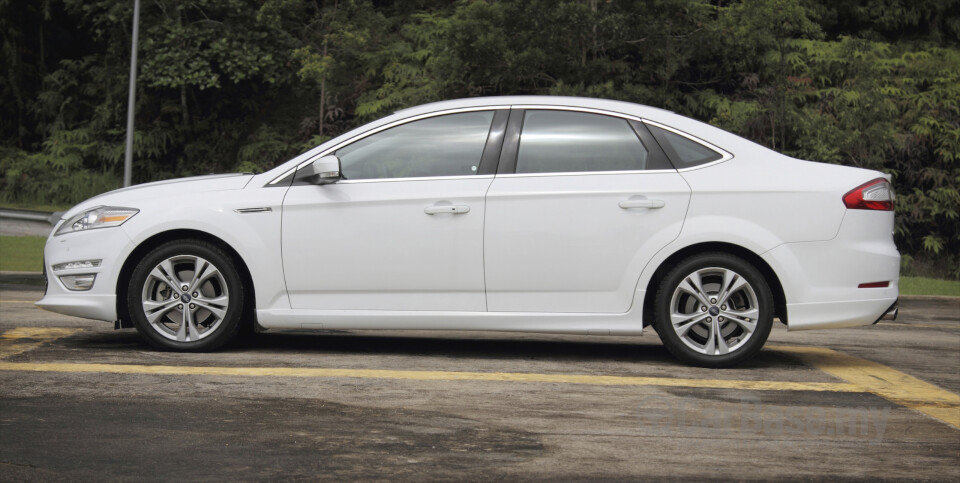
[779, 297]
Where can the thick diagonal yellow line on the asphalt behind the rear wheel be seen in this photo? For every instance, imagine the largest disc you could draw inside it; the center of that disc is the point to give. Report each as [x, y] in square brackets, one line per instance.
[883, 381]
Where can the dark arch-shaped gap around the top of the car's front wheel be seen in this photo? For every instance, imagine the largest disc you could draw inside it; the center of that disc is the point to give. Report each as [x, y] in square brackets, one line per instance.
[172, 235]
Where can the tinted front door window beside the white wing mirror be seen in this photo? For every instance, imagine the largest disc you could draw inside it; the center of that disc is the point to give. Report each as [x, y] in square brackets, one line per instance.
[449, 145]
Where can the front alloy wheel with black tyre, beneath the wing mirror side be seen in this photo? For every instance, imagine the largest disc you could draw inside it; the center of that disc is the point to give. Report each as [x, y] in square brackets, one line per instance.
[186, 295]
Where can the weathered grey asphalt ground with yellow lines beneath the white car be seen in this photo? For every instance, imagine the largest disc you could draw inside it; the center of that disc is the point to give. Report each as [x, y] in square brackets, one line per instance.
[80, 401]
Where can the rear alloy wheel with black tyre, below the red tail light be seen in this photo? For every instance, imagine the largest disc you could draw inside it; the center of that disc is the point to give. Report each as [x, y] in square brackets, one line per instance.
[714, 310]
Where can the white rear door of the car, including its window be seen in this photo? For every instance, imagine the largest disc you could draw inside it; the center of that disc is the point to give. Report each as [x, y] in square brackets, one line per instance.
[581, 201]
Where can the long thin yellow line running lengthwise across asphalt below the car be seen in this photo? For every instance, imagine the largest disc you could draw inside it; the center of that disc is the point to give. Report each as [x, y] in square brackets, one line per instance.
[431, 376]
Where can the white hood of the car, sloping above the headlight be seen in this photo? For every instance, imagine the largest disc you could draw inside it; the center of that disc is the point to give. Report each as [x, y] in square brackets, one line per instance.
[128, 197]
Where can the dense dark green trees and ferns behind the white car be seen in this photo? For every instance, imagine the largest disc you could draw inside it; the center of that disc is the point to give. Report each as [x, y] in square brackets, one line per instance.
[243, 84]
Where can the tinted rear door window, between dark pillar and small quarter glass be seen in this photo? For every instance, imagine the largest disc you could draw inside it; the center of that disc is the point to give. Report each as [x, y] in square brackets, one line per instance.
[564, 141]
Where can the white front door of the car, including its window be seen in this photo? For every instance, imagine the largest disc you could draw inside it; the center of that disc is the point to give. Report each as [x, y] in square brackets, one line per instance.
[403, 230]
